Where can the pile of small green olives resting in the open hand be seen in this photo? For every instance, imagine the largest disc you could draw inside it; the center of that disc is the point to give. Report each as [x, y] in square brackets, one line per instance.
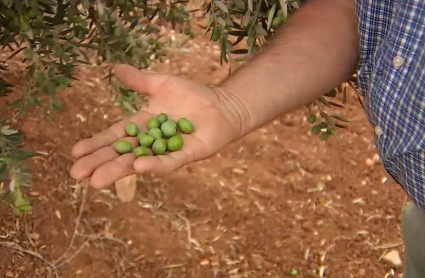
[162, 135]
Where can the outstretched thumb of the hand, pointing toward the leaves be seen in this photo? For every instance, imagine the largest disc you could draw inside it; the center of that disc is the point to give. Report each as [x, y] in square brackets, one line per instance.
[141, 82]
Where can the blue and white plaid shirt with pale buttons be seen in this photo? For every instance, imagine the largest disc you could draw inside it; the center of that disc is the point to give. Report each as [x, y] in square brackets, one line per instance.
[391, 77]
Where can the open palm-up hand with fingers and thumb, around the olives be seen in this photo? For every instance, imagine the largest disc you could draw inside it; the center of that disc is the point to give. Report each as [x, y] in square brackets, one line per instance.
[214, 125]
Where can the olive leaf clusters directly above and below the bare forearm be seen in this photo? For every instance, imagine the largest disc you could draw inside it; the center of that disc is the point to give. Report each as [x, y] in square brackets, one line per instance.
[254, 22]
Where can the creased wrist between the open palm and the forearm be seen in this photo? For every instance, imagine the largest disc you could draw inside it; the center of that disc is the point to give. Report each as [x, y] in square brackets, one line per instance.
[237, 113]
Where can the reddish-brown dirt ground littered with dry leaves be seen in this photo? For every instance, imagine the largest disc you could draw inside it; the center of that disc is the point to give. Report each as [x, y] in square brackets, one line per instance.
[276, 201]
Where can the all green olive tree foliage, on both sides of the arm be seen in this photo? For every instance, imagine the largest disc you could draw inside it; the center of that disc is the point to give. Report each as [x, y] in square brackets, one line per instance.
[57, 36]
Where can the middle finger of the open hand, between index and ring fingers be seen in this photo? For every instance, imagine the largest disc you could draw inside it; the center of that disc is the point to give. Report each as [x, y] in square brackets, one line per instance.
[85, 166]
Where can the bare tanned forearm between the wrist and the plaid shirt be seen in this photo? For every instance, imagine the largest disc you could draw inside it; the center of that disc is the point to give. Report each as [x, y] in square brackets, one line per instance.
[315, 50]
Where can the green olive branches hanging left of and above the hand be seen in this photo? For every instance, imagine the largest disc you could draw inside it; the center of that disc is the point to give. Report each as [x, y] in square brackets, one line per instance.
[55, 37]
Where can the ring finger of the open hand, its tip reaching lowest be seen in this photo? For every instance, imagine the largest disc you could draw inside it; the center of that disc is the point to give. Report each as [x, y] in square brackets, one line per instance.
[113, 170]
